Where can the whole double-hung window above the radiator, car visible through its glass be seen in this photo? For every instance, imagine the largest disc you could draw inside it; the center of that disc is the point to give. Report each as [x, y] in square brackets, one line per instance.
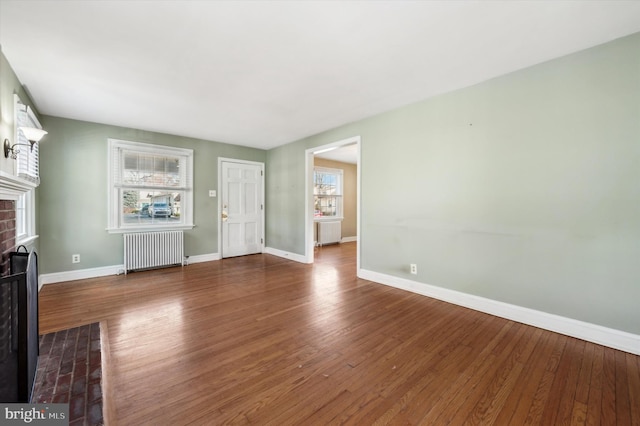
[151, 187]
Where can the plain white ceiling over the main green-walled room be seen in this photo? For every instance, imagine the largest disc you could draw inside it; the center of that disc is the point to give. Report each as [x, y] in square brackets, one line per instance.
[267, 73]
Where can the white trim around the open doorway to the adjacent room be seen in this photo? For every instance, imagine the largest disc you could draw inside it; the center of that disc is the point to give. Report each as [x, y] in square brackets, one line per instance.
[308, 210]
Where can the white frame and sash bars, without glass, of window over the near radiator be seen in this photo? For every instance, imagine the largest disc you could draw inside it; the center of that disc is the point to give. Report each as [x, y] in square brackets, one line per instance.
[115, 188]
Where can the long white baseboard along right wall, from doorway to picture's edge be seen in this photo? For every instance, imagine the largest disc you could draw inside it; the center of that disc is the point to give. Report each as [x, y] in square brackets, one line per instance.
[609, 337]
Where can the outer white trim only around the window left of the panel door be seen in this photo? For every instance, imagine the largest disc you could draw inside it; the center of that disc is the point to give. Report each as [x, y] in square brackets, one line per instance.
[114, 225]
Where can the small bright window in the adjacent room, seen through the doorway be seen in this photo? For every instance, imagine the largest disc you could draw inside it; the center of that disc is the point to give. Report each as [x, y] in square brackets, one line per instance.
[327, 191]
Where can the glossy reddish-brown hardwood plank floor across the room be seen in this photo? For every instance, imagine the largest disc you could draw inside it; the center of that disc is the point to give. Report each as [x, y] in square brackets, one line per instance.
[264, 340]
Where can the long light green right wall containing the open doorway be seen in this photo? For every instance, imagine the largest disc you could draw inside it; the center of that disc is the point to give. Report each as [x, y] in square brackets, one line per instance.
[523, 189]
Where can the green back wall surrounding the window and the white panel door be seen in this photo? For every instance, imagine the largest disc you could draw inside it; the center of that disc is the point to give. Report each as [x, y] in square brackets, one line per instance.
[72, 201]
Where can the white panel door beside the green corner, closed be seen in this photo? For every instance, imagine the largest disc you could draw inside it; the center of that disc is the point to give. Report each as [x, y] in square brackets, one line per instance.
[241, 209]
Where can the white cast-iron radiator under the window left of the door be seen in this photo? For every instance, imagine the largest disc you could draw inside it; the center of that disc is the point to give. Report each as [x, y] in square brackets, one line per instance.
[146, 250]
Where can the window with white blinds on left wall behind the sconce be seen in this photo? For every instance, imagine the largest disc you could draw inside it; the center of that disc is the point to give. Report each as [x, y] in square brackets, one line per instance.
[27, 160]
